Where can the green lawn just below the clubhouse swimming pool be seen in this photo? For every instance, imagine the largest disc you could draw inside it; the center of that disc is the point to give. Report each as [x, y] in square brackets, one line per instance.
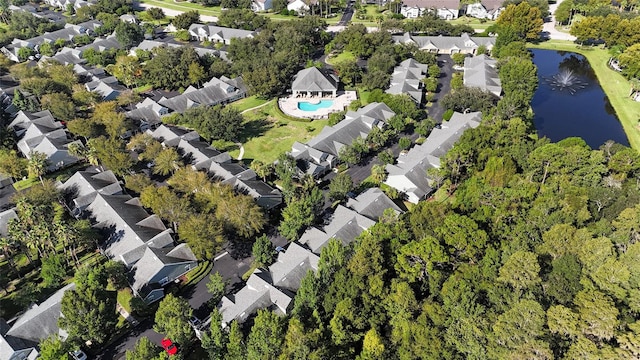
[267, 134]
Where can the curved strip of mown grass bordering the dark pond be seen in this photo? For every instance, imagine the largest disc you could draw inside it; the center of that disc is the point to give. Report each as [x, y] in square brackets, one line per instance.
[613, 83]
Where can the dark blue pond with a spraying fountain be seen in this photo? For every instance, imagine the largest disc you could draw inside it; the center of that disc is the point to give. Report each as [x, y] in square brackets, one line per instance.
[570, 102]
